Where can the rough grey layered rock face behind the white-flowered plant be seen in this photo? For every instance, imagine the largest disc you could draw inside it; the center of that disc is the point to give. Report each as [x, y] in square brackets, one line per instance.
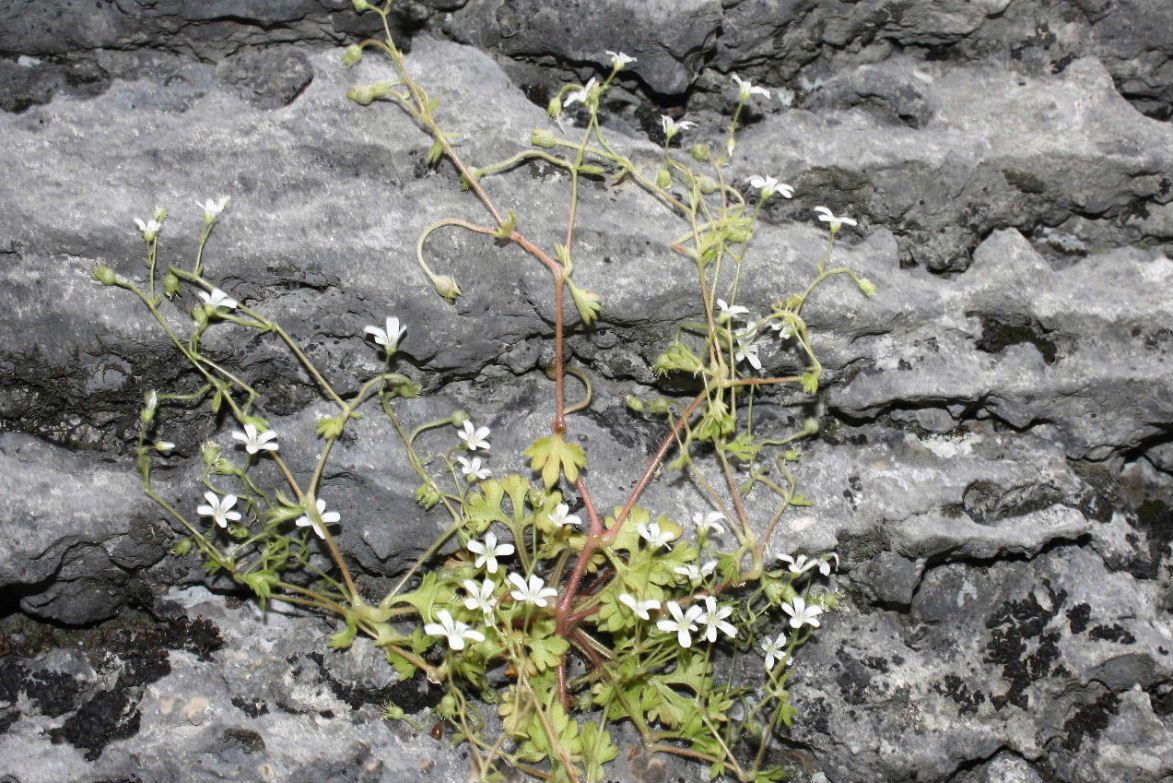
[995, 467]
